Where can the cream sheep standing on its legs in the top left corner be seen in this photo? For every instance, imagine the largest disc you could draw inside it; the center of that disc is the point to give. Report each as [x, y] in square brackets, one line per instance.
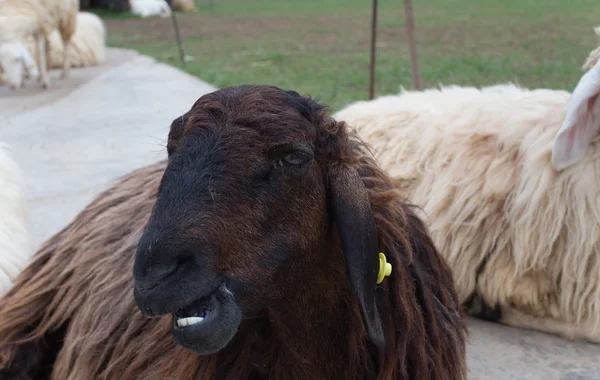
[20, 19]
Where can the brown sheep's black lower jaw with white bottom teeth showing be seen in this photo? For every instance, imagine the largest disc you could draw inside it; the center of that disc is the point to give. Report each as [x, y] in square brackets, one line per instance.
[207, 325]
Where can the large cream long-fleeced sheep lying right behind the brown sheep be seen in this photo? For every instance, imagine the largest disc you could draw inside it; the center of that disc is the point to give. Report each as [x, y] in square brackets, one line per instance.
[508, 180]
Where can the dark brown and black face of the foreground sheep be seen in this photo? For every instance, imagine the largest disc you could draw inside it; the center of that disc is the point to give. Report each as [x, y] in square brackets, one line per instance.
[241, 202]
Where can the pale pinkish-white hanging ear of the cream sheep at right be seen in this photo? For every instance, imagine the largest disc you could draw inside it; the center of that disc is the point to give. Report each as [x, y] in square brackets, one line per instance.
[581, 123]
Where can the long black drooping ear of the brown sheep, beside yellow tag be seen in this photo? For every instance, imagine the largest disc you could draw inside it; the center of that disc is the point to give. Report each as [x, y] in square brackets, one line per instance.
[350, 207]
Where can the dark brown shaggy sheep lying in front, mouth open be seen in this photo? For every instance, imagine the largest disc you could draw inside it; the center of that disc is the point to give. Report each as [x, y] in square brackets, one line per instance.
[264, 226]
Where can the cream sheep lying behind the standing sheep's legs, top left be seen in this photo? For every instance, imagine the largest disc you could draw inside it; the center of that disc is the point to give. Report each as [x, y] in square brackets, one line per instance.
[87, 44]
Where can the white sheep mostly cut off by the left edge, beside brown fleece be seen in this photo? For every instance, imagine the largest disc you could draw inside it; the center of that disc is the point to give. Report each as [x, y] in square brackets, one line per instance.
[15, 248]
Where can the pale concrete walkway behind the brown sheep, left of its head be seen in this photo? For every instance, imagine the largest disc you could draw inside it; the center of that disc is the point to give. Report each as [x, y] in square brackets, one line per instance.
[84, 132]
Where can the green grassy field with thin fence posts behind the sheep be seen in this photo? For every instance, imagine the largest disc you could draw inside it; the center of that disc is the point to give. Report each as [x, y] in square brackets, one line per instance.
[321, 47]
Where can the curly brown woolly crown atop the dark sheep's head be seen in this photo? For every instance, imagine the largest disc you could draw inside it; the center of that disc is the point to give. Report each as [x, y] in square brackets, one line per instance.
[250, 115]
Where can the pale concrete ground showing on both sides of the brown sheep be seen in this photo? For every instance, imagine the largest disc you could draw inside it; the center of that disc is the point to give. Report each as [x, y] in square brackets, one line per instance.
[75, 138]
